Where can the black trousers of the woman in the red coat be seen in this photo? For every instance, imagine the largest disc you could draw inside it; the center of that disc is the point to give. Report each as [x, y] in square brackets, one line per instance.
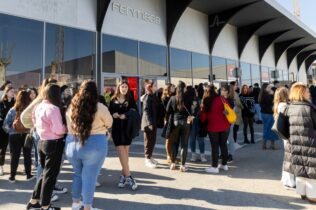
[219, 140]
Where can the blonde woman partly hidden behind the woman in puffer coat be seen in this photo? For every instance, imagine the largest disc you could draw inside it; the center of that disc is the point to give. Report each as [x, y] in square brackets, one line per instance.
[280, 103]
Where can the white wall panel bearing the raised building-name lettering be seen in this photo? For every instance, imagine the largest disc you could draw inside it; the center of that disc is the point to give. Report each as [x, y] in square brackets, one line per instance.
[131, 26]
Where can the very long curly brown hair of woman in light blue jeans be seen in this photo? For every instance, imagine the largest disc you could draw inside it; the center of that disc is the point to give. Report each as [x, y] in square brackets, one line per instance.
[83, 108]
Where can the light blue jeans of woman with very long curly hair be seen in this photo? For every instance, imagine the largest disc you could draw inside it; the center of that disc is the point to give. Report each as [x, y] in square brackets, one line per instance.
[87, 162]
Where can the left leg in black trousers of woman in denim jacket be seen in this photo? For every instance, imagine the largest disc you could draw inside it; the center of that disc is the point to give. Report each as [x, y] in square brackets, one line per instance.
[15, 151]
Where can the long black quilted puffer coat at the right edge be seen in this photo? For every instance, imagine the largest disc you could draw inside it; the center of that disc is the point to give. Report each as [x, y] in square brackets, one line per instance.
[300, 154]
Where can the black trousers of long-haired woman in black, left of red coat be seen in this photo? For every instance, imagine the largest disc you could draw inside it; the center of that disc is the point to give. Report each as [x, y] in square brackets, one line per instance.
[180, 133]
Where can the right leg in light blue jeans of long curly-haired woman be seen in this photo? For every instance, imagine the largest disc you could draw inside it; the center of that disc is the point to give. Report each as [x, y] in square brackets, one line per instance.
[92, 160]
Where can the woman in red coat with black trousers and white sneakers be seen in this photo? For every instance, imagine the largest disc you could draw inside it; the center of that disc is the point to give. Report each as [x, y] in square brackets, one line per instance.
[217, 126]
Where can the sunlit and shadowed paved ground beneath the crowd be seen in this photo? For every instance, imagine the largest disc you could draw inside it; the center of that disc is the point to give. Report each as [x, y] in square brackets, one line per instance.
[251, 183]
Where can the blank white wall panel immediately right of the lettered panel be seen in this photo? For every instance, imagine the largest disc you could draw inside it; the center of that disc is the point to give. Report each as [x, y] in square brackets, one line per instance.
[191, 32]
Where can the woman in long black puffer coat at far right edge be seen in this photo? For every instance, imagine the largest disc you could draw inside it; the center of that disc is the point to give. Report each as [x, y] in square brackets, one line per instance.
[301, 161]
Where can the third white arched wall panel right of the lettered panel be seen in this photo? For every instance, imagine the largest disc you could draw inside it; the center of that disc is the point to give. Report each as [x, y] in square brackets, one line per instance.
[251, 51]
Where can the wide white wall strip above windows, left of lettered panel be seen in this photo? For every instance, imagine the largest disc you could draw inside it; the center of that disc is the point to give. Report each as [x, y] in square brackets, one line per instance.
[73, 13]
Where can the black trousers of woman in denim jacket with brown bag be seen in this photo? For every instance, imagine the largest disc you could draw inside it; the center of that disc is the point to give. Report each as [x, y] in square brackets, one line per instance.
[16, 145]
